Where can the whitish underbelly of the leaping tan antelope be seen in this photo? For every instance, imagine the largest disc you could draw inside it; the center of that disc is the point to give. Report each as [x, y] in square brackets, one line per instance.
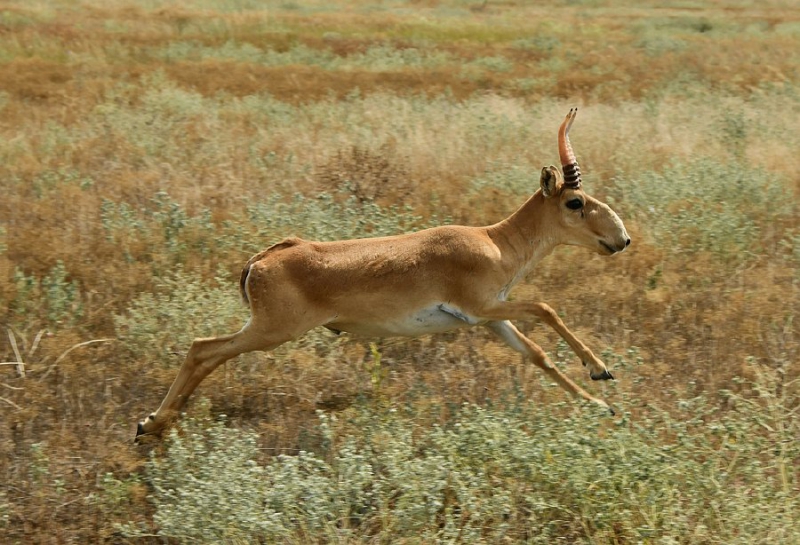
[425, 321]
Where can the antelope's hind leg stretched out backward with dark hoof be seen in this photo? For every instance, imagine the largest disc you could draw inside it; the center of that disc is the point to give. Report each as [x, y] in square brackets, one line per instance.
[204, 356]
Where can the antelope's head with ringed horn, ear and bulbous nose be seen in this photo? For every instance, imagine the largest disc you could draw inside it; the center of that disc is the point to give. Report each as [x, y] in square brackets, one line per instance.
[580, 219]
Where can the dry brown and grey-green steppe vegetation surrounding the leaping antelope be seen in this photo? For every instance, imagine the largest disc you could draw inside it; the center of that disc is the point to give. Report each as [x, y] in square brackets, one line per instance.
[148, 148]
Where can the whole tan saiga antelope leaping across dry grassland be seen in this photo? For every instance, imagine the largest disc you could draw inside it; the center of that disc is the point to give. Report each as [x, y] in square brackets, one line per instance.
[429, 281]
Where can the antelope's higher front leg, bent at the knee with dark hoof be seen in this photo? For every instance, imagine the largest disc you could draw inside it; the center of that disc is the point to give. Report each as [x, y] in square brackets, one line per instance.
[521, 310]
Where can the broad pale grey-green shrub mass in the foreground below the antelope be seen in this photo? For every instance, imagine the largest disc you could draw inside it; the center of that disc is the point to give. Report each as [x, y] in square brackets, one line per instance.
[517, 471]
